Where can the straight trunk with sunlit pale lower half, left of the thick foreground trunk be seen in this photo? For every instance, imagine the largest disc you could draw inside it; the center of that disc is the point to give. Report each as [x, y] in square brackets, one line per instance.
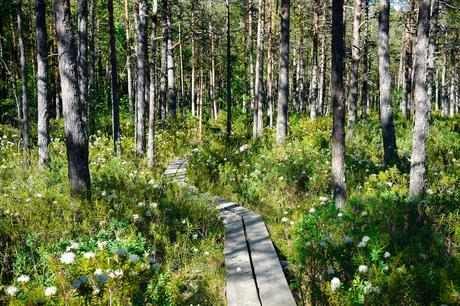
[42, 83]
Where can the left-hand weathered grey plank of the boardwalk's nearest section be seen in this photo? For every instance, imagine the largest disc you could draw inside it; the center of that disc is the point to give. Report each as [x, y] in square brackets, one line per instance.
[241, 287]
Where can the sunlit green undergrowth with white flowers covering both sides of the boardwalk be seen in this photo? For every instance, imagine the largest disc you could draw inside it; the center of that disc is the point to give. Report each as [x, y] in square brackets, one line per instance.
[143, 239]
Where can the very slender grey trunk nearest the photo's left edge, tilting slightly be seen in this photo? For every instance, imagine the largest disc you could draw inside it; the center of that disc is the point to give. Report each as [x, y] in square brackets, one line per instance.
[24, 77]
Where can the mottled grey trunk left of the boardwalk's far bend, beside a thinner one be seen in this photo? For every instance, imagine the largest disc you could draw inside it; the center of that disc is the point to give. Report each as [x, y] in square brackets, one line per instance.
[141, 46]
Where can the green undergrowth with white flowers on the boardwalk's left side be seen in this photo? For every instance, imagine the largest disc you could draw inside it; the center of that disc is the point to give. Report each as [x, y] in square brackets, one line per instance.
[140, 240]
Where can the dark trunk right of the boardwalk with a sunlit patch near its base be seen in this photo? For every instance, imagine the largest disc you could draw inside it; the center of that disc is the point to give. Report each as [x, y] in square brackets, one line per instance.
[338, 104]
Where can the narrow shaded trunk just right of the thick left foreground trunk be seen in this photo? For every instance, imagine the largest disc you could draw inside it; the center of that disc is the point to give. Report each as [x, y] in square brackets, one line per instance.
[92, 65]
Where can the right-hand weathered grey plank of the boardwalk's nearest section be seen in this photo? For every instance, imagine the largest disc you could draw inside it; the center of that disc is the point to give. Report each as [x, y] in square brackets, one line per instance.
[271, 282]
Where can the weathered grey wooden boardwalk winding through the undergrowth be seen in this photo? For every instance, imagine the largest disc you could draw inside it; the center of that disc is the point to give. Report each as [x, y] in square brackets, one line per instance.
[254, 273]
